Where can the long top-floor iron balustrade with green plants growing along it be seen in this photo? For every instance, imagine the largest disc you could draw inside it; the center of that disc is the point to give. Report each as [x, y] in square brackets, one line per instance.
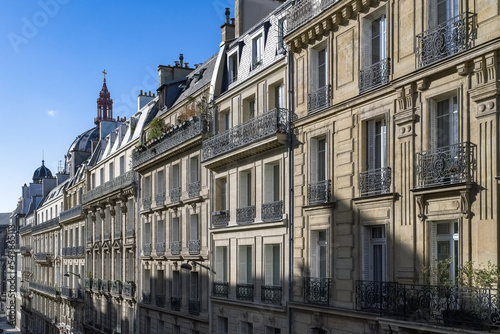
[176, 136]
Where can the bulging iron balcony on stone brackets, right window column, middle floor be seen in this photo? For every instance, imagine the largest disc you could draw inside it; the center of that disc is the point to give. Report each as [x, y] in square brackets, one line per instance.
[446, 165]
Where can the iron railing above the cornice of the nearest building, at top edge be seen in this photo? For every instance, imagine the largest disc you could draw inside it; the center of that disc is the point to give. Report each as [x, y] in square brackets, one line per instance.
[304, 10]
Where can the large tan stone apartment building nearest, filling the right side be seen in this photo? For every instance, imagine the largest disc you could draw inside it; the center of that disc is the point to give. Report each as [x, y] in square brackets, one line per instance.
[394, 164]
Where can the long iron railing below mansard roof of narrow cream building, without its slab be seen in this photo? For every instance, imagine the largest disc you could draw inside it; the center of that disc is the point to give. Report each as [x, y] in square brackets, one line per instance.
[258, 128]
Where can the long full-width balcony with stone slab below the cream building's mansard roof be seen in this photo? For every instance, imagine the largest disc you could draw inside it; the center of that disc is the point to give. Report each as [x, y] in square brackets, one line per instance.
[249, 137]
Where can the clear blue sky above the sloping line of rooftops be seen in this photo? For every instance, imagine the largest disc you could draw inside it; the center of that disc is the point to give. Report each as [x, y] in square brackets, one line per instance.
[52, 53]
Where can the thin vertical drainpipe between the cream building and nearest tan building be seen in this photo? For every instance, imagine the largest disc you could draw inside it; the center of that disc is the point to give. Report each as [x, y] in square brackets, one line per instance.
[290, 192]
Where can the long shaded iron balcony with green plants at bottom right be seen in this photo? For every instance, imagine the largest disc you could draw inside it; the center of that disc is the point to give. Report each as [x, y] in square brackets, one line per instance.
[457, 306]
